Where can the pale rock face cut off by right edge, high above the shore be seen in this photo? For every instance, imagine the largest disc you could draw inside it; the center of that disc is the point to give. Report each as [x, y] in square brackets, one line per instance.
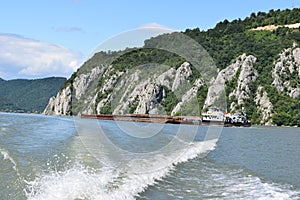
[286, 72]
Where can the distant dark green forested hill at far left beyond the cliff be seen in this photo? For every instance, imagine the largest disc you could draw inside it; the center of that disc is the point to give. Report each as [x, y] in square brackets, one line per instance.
[21, 95]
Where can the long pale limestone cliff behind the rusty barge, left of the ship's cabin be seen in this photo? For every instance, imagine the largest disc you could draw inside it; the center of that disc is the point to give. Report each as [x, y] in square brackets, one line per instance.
[121, 93]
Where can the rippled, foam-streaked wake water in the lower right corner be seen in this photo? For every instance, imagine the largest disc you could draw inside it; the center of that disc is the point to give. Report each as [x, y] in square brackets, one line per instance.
[208, 180]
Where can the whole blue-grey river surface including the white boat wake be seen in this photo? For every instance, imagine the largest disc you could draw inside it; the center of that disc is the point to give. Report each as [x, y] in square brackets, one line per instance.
[47, 157]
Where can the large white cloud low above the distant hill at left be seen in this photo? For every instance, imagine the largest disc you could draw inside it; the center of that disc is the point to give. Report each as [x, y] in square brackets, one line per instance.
[23, 57]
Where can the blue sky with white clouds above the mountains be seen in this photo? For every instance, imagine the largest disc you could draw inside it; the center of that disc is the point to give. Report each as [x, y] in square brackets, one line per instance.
[53, 37]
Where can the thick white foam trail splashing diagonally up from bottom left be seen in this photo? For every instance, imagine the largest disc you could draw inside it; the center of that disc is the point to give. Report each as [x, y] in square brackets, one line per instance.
[125, 183]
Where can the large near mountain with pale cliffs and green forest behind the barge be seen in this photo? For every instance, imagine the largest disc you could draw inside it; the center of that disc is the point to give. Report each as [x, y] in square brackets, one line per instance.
[258, 71]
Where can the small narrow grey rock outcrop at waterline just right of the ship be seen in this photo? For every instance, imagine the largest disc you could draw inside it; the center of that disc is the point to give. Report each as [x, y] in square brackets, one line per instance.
[264, 106]
